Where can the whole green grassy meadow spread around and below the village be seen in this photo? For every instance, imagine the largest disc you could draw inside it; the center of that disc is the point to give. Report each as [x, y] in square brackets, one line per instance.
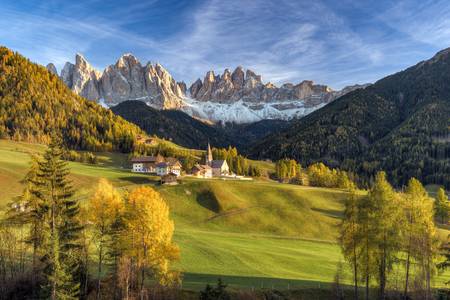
[252, 234]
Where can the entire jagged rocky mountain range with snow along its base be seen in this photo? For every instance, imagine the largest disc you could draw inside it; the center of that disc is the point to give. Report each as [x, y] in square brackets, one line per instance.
[233, 97]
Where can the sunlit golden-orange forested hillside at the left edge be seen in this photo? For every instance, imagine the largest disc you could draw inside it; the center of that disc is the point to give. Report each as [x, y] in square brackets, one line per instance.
[34, 104]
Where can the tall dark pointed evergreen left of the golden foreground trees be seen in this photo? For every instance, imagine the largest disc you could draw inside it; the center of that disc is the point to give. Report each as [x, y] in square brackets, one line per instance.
[60, 225]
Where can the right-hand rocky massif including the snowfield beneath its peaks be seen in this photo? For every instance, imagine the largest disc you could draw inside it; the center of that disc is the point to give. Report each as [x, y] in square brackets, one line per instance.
[242, 97]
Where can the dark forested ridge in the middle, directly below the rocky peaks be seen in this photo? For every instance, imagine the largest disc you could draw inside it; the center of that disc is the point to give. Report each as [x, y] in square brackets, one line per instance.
[190, 132]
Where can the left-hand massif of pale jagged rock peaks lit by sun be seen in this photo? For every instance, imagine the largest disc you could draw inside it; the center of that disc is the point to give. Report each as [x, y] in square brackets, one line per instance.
[127, 79]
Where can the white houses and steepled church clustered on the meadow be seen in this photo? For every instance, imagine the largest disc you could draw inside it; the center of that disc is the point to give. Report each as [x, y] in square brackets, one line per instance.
[169, 168]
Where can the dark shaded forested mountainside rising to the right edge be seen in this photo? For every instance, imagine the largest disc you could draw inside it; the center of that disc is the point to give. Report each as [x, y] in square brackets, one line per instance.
[400, 124]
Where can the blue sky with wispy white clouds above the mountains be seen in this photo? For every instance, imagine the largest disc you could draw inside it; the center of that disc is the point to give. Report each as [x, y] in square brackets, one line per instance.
[331, 42]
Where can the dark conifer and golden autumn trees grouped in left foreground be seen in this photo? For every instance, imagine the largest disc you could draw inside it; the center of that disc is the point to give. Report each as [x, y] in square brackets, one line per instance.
[48, 241]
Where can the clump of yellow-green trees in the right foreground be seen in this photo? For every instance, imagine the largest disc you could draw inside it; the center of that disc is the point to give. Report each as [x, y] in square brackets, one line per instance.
[389, 239]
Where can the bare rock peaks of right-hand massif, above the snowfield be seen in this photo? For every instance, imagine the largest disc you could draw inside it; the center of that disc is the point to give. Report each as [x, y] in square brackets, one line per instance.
[248, 87]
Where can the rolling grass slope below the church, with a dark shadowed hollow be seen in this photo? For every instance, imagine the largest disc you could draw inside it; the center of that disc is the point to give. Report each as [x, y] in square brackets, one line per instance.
[256, 207]
